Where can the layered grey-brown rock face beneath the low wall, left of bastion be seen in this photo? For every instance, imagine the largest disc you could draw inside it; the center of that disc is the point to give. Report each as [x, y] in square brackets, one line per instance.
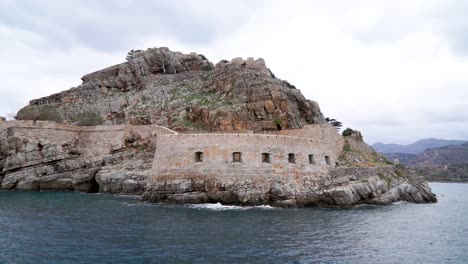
[30, 163]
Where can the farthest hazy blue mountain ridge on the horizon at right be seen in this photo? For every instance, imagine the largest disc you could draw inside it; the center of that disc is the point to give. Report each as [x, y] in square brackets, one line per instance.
[416, 147]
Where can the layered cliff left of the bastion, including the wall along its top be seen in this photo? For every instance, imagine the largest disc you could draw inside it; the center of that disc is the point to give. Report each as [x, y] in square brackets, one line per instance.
[46, 156]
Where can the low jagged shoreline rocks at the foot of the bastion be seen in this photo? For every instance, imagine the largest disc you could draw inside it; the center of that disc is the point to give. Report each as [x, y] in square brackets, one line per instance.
[342, 187]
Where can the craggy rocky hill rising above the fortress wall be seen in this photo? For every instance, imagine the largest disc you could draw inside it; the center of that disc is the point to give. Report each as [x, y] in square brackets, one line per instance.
[184, 92]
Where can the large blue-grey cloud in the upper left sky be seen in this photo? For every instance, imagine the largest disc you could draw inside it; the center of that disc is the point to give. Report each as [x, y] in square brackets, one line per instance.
[119, 24]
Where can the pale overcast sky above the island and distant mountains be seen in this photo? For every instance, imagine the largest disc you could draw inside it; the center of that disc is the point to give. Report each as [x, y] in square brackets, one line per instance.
[396, 70]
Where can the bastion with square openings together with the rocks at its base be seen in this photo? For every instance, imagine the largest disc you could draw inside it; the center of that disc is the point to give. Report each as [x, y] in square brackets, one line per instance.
[201, 168]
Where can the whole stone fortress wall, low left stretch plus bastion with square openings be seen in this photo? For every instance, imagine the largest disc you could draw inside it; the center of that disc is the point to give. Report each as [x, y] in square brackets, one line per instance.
[176, 156]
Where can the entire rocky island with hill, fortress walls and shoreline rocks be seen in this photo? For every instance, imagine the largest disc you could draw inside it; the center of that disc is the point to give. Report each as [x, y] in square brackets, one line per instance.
[176, 128]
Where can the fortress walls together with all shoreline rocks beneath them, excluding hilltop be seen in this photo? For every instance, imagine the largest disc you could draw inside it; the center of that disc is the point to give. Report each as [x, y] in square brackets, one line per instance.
[173, 173]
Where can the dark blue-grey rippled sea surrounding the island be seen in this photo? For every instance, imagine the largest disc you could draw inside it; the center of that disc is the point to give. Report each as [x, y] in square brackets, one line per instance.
[40, 227]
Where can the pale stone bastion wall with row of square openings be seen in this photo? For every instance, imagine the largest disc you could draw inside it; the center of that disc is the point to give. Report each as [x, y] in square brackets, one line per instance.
[178, 155]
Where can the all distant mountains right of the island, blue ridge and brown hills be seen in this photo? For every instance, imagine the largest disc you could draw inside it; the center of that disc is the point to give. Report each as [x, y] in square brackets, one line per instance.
[448, 163]
